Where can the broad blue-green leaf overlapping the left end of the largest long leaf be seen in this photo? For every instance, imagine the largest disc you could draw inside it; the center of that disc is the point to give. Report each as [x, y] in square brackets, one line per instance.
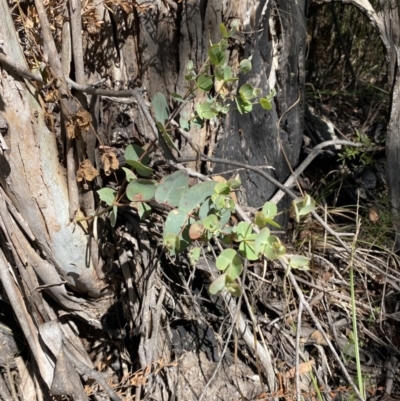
[171, 188]
